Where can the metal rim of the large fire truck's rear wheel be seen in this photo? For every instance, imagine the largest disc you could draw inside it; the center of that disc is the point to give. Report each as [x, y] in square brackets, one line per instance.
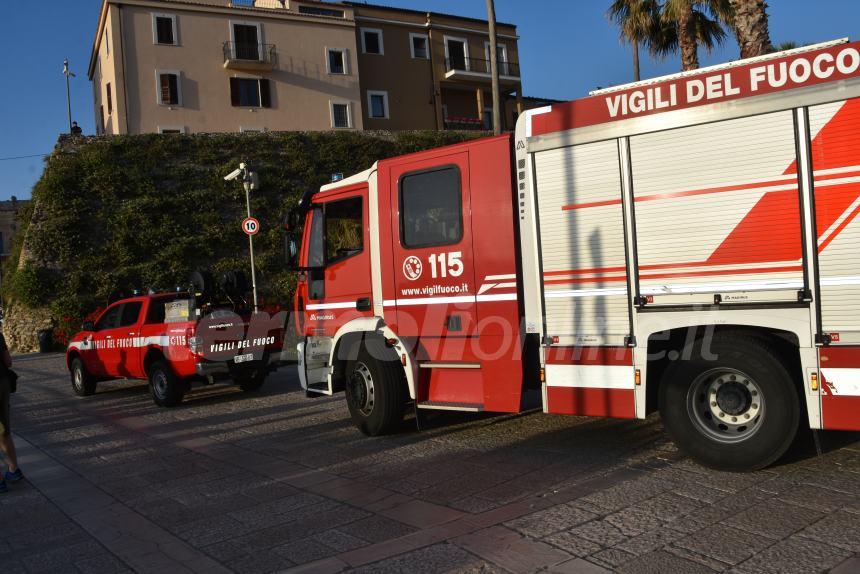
[726, 405]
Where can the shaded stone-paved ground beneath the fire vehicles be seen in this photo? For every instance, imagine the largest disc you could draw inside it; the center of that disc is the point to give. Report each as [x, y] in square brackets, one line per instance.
[275, 481]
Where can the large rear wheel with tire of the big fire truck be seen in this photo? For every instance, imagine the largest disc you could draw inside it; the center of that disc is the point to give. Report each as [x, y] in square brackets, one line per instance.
[739, 412]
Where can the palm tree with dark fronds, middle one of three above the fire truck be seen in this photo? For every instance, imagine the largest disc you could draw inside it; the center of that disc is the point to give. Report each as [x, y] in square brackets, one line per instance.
[698, 23]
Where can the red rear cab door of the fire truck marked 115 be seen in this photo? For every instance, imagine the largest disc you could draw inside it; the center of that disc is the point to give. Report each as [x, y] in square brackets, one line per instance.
[433, 254]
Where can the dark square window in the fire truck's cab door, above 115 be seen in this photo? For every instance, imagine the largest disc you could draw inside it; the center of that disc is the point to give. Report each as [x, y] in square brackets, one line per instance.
[431, 208]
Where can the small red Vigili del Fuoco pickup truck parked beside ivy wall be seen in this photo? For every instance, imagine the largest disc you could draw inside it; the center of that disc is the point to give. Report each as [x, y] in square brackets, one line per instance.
[170, 341]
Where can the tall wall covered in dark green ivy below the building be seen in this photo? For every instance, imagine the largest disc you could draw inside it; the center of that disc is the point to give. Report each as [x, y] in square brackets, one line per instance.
[140, 212]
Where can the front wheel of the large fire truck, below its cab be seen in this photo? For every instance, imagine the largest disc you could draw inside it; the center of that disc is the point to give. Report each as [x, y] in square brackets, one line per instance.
[375, 389]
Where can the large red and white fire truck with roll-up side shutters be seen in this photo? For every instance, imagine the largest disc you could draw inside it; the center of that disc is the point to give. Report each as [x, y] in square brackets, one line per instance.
[687, 245]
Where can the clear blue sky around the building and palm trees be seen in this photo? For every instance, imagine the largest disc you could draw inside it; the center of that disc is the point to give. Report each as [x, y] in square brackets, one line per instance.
[567, 47]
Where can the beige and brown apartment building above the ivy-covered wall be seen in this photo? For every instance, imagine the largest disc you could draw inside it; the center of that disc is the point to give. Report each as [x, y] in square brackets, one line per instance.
[187, 66]
